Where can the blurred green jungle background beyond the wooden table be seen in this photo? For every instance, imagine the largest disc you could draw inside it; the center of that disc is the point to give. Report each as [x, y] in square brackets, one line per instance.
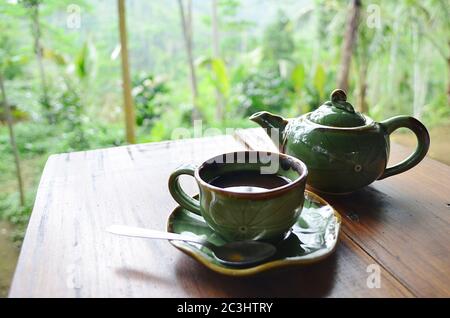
[63, 62]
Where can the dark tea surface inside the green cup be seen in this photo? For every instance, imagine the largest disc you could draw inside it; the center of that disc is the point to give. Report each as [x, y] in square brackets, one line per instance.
[249, 181]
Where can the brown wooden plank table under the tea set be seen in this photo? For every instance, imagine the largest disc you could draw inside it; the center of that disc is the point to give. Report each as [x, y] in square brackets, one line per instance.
[400, 224]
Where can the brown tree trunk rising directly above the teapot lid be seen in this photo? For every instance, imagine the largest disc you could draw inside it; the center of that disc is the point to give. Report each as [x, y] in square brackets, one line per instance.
[349, 43]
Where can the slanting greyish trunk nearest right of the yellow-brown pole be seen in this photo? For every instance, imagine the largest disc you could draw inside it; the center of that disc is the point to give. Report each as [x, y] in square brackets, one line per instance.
[186, 24]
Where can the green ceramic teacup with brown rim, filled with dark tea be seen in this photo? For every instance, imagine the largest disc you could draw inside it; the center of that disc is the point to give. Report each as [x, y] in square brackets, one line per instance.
[267, 214]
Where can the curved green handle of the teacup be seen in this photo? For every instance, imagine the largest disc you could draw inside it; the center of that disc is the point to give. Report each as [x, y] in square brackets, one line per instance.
[178, 193]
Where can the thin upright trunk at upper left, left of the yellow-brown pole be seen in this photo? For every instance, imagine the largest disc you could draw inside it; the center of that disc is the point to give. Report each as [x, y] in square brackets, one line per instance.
[38, 51]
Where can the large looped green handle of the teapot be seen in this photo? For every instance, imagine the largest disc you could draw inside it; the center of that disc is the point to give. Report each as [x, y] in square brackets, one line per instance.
[423, 143]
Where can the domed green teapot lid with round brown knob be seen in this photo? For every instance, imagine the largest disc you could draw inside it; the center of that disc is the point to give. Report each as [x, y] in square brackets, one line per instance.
[337, 112]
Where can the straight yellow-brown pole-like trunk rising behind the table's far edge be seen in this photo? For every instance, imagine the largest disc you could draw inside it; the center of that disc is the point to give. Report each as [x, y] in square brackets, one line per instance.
[127, 98]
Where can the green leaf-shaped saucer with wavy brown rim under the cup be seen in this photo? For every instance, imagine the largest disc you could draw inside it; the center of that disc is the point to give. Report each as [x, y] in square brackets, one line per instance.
[312, 239]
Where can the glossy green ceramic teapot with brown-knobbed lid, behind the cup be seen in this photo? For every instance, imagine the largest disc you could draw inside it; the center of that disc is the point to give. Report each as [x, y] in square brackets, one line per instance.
[344, 150]
